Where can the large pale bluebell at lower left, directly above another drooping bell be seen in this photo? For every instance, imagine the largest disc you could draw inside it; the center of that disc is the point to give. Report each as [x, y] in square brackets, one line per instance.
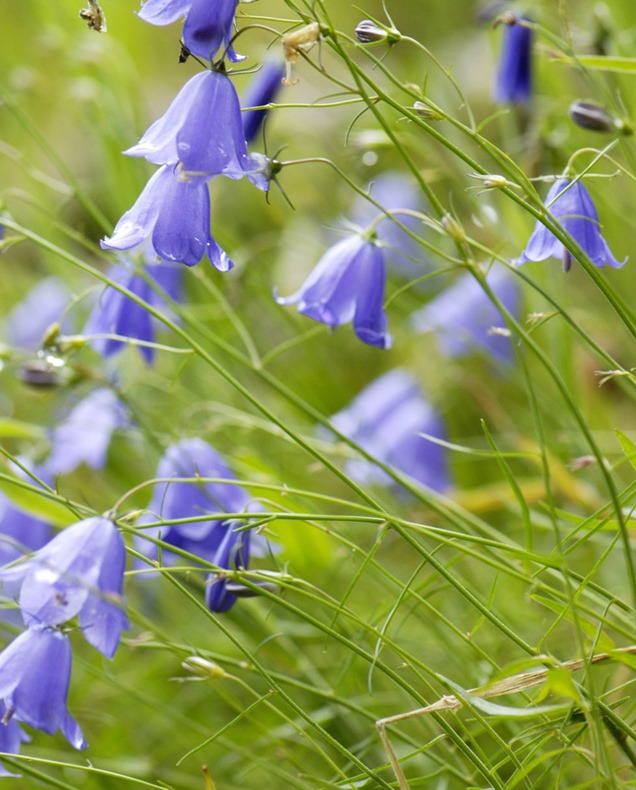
[79, 572]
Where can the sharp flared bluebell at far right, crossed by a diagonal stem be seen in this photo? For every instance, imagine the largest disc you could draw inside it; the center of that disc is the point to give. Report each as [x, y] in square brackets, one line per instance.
[570, 203]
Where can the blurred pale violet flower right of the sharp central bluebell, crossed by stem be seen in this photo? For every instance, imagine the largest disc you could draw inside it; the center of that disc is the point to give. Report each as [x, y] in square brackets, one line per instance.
[464, 318]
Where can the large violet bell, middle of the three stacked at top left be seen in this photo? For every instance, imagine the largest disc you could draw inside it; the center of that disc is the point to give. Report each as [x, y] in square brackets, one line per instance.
[202, 129]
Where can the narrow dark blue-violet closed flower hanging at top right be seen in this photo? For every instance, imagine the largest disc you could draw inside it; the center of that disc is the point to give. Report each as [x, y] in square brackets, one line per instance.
[514, 74]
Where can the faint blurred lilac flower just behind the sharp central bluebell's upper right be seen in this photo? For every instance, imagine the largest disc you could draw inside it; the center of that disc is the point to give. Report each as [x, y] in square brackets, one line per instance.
[394, 191]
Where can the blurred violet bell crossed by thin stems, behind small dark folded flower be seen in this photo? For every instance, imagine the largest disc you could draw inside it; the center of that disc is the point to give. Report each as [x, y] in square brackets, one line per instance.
[175, 500]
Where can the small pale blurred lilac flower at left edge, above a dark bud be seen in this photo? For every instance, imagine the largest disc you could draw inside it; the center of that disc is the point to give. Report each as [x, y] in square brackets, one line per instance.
[44, 305]
